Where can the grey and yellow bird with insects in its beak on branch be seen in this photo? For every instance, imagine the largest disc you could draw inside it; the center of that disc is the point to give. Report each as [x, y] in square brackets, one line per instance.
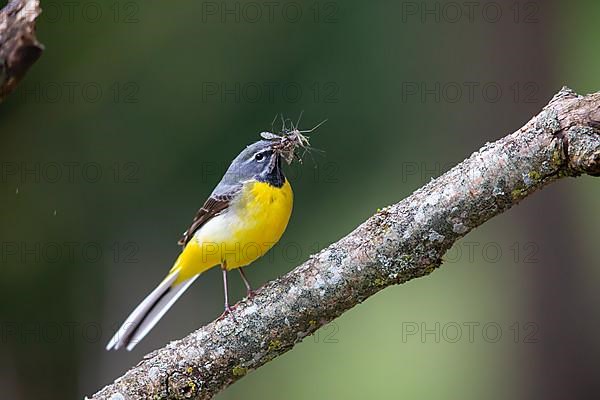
[245, 215]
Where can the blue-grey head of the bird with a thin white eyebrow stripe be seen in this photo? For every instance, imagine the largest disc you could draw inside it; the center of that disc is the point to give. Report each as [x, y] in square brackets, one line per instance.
[258, 161]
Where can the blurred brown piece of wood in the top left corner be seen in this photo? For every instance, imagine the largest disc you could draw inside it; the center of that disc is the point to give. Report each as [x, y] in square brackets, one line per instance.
[19, 48]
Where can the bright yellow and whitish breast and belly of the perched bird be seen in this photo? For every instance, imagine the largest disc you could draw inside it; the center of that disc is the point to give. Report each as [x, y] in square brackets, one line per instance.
[253, 223]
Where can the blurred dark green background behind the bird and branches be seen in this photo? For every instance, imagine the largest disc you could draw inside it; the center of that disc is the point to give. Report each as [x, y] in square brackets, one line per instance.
[123, 127]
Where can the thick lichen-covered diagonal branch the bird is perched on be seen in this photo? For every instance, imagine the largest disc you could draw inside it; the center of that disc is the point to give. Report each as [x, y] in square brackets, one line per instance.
[401, 242]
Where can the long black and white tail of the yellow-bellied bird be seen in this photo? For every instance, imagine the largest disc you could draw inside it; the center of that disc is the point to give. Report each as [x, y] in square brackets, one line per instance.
[149, 312]
